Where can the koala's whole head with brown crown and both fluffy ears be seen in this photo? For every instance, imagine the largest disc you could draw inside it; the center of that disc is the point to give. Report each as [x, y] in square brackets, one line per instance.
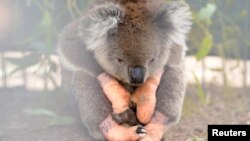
[132, 41]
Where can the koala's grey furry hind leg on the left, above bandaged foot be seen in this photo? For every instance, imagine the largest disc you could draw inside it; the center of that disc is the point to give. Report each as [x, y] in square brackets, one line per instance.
[93, 106]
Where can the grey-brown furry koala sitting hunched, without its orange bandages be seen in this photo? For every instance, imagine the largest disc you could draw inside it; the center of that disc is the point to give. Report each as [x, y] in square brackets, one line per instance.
[130, 40]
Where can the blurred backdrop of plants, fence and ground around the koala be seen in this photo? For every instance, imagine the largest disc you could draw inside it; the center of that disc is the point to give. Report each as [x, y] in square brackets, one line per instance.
[33, 107]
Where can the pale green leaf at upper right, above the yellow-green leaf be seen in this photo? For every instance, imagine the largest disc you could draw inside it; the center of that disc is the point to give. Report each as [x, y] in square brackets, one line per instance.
[207, 12]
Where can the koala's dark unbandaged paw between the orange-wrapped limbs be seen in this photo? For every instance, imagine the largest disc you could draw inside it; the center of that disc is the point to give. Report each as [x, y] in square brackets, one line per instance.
[126, 117]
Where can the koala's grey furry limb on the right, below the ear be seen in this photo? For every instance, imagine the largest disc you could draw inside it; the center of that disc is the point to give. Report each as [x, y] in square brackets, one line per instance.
[170, 93]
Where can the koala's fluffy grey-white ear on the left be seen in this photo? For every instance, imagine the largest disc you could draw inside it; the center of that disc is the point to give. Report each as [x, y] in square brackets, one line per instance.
[98, 23]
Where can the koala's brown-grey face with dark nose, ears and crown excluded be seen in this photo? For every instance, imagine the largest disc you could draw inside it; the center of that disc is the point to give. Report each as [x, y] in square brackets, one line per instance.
[132, 57]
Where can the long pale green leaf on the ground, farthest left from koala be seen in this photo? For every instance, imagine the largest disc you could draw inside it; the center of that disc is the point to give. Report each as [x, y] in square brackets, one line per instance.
[39, 112]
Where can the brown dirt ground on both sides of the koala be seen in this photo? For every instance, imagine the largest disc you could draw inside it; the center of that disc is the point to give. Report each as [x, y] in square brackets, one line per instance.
[225, 106]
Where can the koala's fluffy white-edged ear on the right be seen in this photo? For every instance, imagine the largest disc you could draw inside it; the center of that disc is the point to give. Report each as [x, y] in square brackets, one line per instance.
[174, 21]
